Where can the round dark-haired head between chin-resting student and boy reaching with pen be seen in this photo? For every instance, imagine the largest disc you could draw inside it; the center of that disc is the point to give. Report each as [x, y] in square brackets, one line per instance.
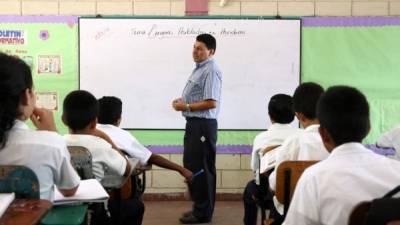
[80, 108]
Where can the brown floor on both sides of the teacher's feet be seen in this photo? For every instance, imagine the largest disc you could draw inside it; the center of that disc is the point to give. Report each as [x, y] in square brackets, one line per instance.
[168, 212]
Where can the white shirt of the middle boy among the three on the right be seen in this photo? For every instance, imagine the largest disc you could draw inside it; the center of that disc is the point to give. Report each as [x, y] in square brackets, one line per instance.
[305, 145]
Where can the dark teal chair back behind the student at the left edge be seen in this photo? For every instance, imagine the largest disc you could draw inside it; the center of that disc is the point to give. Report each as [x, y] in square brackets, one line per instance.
[21, 180]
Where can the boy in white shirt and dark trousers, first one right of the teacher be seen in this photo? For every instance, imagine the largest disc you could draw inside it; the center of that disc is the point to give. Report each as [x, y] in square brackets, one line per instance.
[281, 114]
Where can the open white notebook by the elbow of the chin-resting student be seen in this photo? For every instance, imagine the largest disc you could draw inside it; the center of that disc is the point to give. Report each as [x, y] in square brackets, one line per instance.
[88, 191]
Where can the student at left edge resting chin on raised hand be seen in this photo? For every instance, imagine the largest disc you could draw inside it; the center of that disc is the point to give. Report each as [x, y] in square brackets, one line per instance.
[43, 151]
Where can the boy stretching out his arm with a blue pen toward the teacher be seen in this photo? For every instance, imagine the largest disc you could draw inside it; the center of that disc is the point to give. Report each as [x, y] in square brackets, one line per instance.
[110, 110]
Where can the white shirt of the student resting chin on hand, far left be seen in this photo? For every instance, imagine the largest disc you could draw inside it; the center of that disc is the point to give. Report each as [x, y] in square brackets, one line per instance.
[45, 153]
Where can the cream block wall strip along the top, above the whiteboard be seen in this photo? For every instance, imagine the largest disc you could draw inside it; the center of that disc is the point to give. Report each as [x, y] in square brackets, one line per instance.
[177, 7]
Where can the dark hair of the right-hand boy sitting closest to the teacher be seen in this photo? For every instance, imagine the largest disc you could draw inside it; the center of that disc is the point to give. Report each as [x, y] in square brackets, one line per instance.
[280, 108]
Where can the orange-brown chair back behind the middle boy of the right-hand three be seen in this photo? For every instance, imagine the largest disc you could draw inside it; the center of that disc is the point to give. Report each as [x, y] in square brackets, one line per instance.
[287, 176]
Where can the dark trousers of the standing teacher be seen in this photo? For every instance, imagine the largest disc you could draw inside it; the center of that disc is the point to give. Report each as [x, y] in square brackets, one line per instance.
[199, 153]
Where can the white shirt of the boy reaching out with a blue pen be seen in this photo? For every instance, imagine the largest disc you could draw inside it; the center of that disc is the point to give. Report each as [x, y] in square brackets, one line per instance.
[125, 141]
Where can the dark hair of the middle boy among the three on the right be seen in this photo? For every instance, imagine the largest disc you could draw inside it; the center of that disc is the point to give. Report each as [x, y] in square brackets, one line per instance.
[305, 99]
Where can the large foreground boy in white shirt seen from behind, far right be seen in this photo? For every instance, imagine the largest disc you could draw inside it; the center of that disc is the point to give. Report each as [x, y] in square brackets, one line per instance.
[328, 191]
